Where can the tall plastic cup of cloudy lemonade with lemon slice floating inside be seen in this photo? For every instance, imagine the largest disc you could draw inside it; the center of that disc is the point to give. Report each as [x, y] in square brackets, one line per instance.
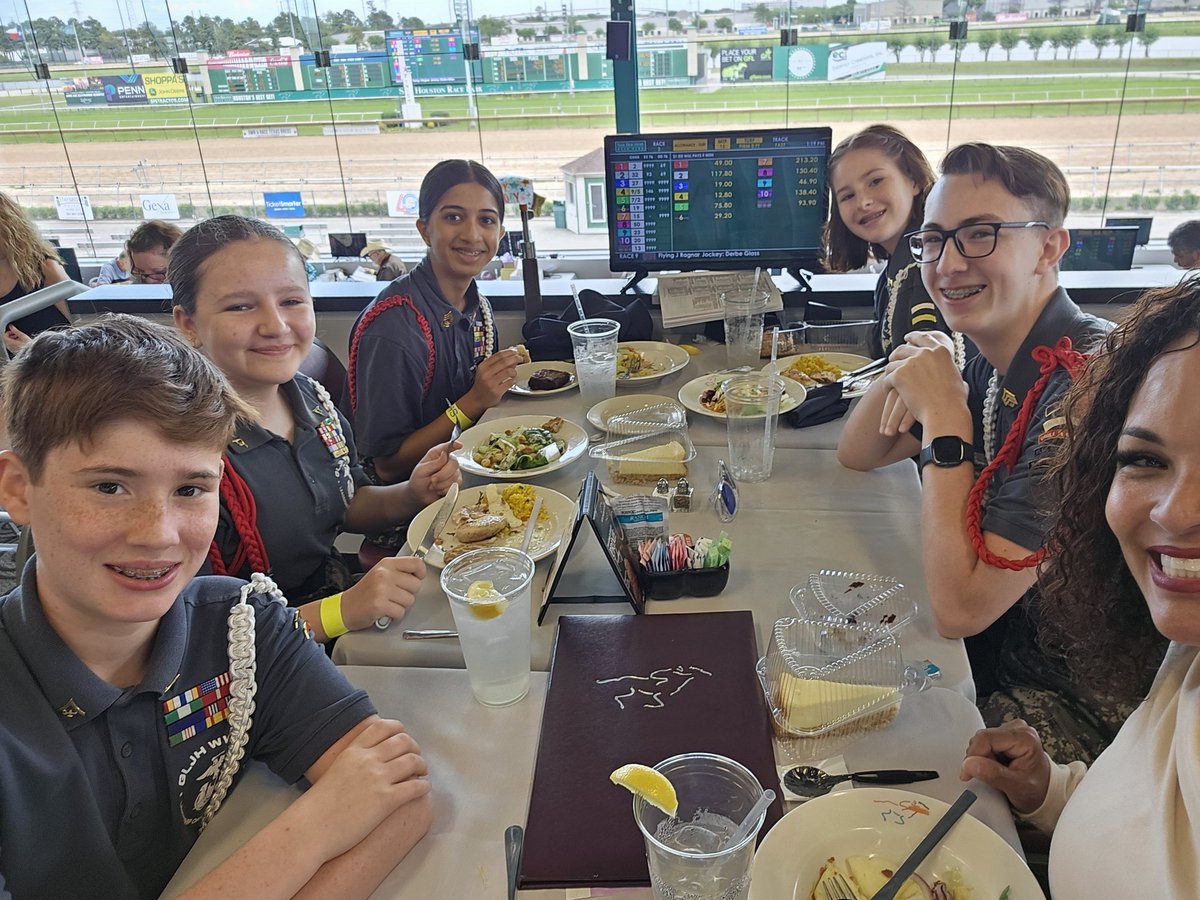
[489, 592]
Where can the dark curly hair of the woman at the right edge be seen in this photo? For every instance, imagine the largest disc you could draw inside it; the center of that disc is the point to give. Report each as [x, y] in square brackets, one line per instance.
[1095, 614]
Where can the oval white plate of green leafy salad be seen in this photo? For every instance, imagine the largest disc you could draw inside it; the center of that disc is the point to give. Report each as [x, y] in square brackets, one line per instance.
[520, 447]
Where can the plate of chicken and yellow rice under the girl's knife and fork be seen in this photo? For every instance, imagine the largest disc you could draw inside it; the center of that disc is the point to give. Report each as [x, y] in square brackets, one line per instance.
[496, 517]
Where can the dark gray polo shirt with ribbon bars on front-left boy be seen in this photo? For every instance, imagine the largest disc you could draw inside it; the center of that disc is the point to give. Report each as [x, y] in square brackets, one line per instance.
[101, 788]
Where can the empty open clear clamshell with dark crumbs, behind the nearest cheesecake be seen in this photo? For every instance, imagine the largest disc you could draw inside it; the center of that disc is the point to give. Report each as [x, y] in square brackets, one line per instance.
[855, 599]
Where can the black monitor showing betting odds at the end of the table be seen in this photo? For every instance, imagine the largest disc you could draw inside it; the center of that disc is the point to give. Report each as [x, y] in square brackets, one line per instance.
[716, 201]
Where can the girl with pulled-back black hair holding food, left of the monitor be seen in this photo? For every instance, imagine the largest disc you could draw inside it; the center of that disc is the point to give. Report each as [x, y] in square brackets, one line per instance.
[424, 353]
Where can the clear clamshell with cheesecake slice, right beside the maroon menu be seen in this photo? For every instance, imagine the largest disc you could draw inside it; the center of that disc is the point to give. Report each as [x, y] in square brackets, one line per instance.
[823, 679]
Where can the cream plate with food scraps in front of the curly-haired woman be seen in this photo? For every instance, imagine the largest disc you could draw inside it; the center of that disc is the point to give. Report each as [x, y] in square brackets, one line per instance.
[865, 835]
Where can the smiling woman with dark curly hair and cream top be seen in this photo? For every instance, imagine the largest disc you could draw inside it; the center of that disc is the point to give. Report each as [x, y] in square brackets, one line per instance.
[1124, 584]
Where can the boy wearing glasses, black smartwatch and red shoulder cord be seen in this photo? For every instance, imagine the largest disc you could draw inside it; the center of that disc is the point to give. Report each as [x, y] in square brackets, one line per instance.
[989, 254]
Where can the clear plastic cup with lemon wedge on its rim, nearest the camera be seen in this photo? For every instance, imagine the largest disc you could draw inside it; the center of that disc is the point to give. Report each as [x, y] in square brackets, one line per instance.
[687, 855]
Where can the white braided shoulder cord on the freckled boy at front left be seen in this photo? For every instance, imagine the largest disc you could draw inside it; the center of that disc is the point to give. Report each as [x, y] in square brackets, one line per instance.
[243, 687]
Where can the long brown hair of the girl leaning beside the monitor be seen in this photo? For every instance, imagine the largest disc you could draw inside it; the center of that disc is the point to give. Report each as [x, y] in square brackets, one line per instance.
[844, 249]
